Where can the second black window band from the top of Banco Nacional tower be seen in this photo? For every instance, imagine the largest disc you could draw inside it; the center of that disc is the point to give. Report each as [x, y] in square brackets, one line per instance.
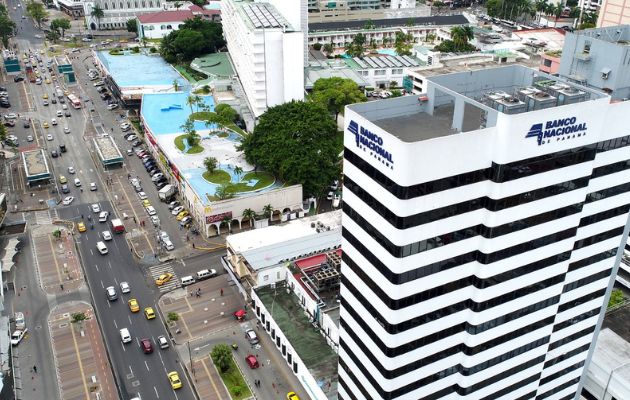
[463, 207]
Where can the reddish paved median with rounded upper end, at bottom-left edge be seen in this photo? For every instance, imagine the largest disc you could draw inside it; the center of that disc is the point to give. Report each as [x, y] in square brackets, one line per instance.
[83, 370]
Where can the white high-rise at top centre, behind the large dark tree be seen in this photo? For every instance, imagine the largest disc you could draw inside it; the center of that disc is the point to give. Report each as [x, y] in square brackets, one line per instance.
[267, 50]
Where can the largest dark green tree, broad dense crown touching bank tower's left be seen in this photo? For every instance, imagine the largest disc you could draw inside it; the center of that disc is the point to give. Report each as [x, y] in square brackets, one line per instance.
[297, 142]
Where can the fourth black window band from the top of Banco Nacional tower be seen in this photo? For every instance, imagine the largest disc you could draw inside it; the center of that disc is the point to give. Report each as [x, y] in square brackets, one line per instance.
[453, 262]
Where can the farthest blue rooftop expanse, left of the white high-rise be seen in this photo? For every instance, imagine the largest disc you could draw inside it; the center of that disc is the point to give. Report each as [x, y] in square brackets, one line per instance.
[131, 70]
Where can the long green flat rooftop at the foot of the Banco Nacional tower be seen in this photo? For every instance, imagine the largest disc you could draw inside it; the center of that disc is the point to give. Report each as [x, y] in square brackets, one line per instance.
[306, 339]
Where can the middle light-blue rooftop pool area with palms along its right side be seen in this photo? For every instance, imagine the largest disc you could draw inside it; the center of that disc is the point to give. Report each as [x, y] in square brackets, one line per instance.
[165, 113]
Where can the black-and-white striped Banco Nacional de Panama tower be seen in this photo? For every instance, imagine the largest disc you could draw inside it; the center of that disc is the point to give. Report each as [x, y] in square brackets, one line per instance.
[477, 258]
